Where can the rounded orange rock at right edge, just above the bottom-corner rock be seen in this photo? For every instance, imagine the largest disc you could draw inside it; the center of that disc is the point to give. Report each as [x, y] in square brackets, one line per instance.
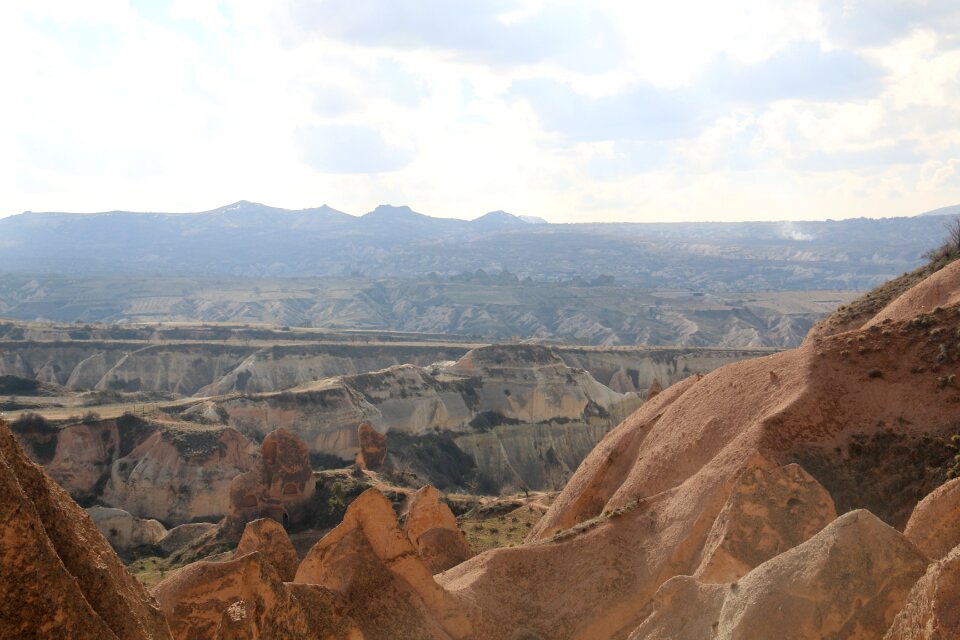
[934, 525]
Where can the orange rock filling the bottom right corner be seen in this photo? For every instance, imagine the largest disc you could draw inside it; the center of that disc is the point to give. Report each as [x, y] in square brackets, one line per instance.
[931, 611]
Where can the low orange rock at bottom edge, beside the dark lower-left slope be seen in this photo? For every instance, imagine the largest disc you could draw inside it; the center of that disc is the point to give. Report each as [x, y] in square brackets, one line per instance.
[210, 600]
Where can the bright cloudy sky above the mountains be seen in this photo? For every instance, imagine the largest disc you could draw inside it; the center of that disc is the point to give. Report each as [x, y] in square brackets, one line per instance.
[574, 111]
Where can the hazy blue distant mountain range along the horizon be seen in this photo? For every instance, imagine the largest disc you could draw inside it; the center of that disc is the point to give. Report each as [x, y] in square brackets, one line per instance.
[254, 240]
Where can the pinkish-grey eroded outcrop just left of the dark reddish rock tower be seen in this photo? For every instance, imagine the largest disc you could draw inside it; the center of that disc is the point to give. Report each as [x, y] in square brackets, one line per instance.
[180, 473]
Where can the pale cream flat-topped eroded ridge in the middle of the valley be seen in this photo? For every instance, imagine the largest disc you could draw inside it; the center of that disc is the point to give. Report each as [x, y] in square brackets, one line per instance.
[525, 417]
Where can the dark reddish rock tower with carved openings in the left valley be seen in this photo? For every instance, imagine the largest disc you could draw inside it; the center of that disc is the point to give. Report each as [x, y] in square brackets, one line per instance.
[279, 486]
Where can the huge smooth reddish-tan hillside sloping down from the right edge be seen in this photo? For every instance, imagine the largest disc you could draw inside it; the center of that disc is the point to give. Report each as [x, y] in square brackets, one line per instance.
[862, 412]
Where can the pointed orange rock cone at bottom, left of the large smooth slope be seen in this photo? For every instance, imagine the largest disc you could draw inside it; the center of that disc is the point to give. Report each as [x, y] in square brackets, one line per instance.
[371, 564]
